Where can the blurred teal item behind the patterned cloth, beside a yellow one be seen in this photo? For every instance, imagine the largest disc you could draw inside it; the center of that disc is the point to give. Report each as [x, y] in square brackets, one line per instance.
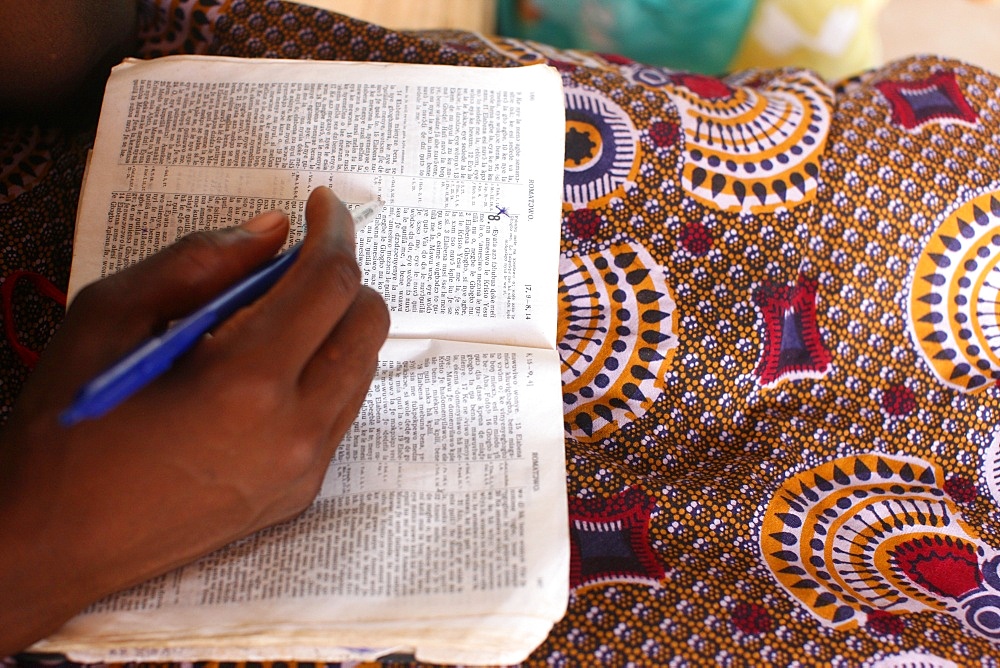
[691, 35]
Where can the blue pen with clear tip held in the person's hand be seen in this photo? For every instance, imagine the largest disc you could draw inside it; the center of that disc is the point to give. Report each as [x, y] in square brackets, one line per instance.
[157, 354]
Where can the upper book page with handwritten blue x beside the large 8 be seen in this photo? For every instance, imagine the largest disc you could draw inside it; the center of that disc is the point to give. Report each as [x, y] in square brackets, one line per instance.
[467, 160]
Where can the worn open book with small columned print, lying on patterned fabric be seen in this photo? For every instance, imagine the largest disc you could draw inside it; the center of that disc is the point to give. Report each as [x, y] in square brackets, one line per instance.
[441, 528]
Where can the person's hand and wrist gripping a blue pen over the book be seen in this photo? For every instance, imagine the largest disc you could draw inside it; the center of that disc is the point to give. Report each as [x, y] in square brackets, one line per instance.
[235, 437]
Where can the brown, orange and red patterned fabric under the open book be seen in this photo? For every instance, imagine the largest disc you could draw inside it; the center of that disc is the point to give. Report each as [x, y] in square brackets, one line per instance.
[779, 331]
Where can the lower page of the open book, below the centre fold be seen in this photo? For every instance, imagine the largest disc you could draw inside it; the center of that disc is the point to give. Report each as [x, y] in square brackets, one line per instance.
[446, 499]
